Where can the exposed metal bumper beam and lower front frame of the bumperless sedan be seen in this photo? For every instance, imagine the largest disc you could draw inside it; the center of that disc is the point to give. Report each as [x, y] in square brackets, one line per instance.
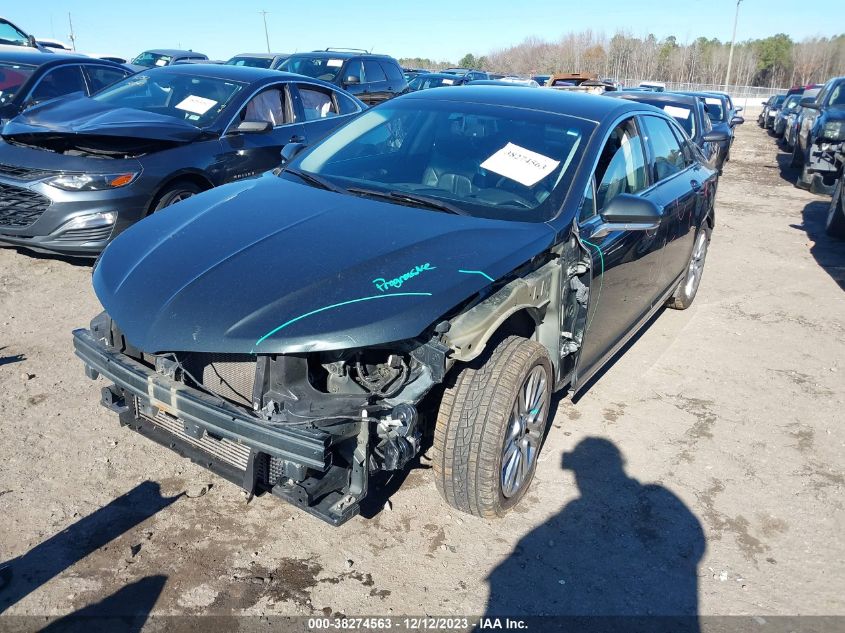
[302, 465]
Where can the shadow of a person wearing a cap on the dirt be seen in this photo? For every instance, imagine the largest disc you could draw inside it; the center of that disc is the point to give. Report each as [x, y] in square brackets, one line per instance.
[622, 556]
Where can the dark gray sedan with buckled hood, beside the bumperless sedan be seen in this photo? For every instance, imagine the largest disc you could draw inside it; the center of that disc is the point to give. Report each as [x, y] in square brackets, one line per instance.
[76, 171]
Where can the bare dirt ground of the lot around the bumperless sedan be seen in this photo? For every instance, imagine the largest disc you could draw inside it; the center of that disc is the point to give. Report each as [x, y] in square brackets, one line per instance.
[728, 417]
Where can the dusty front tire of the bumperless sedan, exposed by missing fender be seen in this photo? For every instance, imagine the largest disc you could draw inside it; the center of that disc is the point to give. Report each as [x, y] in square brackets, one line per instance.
[473, 423]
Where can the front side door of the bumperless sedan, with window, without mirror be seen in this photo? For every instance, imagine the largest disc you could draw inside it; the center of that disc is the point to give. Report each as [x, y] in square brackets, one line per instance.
[625, 264]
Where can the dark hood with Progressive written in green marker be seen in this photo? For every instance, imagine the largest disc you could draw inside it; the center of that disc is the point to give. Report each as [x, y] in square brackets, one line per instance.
[271, 266]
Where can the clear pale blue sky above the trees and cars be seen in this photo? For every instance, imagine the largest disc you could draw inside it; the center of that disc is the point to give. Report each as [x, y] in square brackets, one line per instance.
[438, 29]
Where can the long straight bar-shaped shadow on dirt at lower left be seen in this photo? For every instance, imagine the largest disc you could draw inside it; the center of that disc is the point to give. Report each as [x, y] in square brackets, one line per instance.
[22, 575]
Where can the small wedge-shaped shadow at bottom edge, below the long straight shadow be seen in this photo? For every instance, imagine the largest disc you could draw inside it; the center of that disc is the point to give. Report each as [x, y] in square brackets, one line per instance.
[124, 611]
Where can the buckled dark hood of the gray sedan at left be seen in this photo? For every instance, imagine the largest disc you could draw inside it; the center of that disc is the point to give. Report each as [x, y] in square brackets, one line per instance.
[82, 116]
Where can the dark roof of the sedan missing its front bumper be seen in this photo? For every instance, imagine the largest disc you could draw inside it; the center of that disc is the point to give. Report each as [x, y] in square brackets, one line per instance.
[585, 106]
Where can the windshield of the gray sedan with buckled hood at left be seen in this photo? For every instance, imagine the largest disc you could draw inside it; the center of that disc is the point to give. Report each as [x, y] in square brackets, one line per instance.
[198, 100]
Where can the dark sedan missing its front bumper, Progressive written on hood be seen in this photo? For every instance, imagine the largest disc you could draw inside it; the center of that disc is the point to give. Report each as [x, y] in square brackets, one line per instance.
[463, 253]
